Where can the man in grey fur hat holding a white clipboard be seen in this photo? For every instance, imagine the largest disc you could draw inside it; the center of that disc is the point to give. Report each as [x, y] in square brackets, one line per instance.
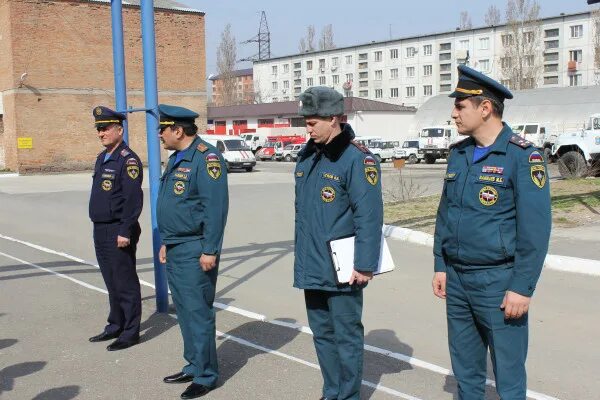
[338, 194]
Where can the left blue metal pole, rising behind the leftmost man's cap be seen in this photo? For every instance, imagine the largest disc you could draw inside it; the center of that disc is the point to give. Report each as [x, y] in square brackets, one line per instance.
[116, 12]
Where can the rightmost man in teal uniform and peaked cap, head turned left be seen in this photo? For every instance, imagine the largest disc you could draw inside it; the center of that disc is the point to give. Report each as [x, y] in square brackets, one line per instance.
[491, 239]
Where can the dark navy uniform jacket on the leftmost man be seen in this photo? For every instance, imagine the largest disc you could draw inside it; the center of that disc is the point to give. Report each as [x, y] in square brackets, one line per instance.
[117, 189]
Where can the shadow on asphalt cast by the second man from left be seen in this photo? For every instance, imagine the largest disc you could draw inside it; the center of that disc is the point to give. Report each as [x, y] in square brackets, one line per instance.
[234, 356]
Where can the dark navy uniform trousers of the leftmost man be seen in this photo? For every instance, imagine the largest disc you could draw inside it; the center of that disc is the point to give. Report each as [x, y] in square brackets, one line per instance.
[120, 277]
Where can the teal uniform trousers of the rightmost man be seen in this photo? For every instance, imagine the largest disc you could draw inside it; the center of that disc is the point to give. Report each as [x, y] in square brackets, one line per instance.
[475, 324]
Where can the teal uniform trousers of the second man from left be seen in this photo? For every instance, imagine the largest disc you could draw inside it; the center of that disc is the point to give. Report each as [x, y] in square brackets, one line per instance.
[193, 292]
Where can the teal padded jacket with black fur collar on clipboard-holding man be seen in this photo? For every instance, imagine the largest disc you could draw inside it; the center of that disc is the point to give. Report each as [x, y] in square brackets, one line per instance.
[338, 194]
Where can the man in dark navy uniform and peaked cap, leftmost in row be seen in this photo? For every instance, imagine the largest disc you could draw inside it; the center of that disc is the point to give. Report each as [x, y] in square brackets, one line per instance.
[115, 206]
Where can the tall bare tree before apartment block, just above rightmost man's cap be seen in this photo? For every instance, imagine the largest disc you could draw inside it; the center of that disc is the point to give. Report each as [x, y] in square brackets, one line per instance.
[521, 64]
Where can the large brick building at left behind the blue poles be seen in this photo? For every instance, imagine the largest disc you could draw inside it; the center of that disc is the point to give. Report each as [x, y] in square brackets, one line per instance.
[56, 65]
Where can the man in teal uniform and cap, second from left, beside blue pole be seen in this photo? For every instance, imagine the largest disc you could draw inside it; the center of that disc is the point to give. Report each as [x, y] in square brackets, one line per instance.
[192, 210]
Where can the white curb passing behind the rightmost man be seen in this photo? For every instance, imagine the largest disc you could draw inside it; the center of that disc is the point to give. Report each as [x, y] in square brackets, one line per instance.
[554, 262]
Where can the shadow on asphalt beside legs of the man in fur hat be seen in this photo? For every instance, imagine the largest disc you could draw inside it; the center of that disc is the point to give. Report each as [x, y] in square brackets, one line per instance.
[378, 365]
